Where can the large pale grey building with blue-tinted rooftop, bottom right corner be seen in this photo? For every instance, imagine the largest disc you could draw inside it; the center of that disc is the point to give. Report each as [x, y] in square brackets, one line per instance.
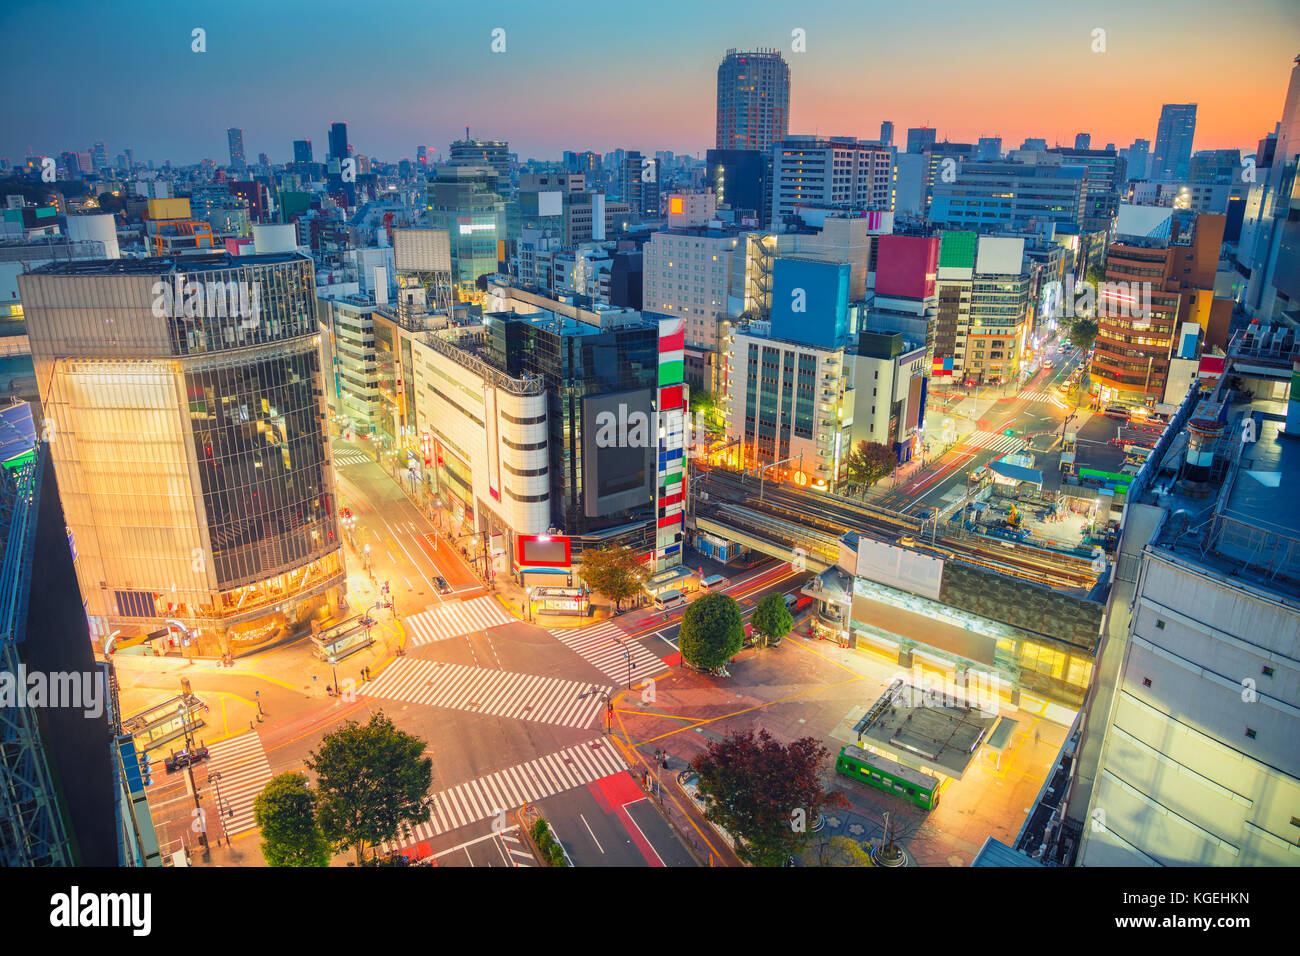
[1188, 756]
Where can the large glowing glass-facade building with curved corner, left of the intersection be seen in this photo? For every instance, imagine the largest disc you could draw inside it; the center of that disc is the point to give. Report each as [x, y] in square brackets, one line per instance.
[185, 412]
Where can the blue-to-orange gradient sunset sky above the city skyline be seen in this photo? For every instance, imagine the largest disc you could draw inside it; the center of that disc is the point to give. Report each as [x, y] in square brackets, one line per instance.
[623, 73]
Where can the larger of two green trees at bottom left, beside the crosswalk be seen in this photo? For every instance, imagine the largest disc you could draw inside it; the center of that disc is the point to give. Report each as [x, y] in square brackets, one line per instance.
[372, 780]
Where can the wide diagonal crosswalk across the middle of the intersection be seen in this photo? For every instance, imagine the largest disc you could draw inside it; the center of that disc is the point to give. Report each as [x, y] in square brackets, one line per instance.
[484, 691]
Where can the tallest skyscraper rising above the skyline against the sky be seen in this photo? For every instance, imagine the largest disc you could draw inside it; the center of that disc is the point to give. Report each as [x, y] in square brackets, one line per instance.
[753, 101]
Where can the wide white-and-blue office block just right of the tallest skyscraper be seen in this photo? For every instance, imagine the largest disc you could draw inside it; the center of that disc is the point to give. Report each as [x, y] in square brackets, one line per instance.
[835, 172]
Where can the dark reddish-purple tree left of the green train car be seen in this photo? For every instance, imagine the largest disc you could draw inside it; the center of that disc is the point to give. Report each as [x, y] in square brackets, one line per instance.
[764, 794]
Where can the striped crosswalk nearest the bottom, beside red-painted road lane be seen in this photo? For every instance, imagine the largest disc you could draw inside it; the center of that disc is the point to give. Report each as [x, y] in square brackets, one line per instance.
[493, 795]
